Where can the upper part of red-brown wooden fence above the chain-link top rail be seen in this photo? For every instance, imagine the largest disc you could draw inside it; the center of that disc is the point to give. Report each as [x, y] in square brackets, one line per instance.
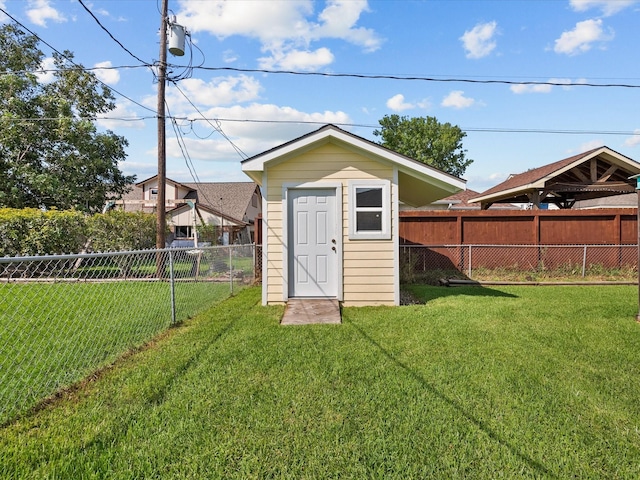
[520, 227]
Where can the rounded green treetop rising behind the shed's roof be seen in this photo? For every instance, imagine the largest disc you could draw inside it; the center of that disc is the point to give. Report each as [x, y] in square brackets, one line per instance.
[426, 140]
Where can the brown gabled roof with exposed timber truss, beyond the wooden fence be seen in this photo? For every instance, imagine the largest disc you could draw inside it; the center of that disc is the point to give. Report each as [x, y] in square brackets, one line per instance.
[595, 173]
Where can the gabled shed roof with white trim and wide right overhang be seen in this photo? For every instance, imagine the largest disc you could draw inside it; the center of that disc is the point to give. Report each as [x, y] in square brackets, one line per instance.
[413, 176]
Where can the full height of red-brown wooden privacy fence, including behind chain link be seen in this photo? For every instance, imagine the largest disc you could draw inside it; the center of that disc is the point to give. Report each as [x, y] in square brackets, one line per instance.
[575, 241]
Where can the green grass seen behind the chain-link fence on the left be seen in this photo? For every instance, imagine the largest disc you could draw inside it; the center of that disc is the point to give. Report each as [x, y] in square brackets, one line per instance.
[54, 334]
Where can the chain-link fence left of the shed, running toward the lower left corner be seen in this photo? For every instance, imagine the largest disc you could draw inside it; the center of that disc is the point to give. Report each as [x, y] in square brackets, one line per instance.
[64, 317]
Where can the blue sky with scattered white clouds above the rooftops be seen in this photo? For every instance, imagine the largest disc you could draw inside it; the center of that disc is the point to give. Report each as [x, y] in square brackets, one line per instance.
[511, 127]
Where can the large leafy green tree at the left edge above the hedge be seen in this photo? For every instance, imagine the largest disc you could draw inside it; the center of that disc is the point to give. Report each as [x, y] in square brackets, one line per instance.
[51, 153]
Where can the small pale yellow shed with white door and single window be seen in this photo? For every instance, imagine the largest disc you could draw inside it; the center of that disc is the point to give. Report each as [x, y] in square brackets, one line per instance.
[330, 216]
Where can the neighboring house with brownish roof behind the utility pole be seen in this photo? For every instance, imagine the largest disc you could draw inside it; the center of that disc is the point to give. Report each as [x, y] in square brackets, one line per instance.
[232, 207]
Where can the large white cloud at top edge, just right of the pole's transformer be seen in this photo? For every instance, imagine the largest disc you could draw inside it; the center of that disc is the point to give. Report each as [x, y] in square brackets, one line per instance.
[285, 29]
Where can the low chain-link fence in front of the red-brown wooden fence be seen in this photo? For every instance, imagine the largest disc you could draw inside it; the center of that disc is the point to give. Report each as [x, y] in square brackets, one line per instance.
[519, 263]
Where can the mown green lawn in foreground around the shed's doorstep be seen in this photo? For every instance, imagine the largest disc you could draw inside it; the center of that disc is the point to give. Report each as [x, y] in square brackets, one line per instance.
[474, 383]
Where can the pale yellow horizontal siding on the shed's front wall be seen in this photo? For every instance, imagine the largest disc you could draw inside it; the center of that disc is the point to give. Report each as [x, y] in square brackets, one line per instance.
[365, 281]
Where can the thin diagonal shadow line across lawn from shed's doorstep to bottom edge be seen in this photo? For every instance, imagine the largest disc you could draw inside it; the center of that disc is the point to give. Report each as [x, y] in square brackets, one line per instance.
[536, 466]
